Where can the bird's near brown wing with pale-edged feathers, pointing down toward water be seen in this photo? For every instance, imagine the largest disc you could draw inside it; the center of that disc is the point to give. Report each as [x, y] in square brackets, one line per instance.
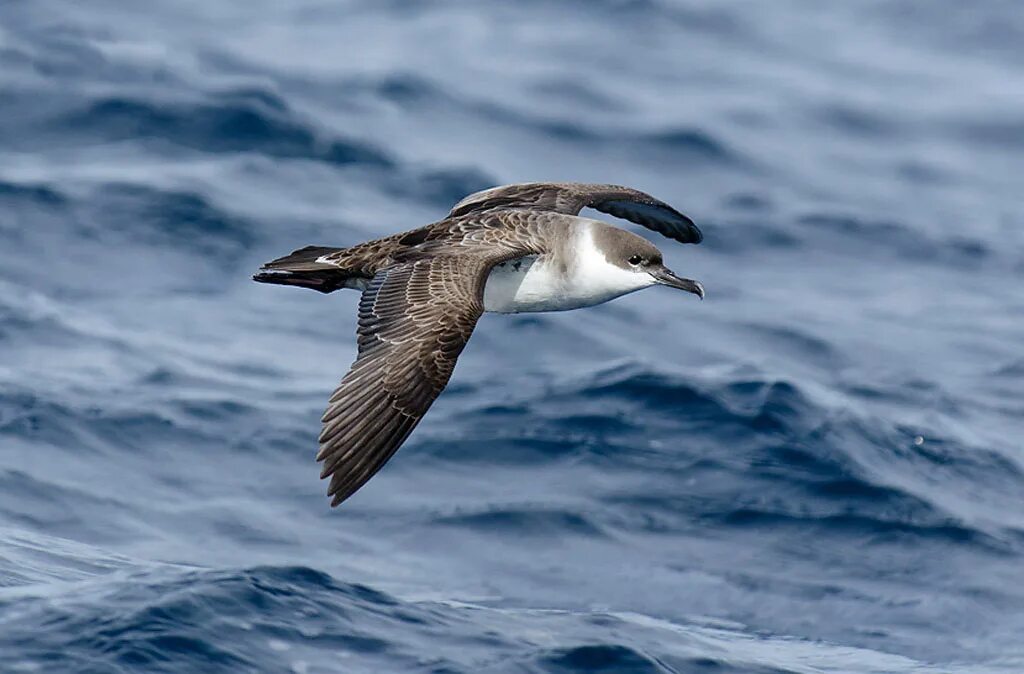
[415, 319]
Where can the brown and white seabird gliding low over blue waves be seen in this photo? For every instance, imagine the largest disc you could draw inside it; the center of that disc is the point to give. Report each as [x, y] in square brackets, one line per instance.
[508, 249]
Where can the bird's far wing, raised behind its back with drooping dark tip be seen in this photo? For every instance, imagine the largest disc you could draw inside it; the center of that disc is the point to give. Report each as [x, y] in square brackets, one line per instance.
[571, 198]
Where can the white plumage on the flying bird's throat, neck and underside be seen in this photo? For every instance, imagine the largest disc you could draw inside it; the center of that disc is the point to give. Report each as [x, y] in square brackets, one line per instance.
[546, 284]
